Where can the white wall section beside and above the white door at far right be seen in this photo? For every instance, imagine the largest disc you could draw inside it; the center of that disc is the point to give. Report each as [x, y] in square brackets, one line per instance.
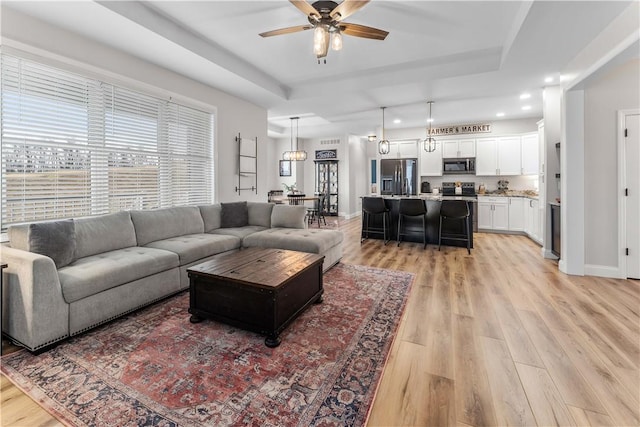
[617, 90]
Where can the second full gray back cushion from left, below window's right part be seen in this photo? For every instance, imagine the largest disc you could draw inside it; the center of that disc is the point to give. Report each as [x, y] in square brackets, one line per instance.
[160, 224]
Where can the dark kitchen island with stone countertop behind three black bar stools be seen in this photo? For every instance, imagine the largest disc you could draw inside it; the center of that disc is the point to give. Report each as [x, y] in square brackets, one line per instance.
[413, 226]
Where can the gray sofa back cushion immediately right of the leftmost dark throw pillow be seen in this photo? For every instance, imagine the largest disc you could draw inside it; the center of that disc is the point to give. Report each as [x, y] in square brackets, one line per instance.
[104, 233]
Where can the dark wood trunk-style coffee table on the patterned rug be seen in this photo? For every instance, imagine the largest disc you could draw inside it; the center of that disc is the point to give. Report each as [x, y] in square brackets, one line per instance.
[261, 290]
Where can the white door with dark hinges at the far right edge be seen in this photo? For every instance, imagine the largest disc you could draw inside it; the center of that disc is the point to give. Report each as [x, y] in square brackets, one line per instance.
[629, 155]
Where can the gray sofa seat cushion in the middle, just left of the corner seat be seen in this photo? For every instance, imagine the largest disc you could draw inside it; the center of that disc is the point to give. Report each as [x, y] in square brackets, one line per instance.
[192, 247]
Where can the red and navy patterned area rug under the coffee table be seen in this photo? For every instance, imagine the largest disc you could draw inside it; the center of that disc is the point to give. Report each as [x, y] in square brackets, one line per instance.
[154, 368]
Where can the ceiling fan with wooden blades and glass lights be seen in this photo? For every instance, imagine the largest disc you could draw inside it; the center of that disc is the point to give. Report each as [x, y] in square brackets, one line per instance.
[325, 17]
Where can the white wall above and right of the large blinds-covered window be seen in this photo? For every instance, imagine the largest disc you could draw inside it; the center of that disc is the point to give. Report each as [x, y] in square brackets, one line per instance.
[234, 116]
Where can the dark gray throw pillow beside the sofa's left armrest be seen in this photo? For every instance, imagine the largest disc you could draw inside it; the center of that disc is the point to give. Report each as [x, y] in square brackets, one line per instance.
[55, 239]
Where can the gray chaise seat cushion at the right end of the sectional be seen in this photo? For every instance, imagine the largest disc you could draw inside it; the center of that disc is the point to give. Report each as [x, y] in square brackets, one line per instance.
[304, 240]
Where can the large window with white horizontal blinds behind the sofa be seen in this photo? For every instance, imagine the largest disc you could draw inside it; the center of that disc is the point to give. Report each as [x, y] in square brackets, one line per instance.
[74, 146]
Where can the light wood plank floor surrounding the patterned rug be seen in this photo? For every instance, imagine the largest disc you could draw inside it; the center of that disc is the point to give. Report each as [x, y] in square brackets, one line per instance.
[498, 337]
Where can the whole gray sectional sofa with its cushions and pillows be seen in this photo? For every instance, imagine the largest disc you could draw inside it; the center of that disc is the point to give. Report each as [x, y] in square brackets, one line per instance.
[65, 277]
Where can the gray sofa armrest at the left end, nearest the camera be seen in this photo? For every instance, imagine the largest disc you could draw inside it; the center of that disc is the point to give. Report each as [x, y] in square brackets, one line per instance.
[34, 311]
